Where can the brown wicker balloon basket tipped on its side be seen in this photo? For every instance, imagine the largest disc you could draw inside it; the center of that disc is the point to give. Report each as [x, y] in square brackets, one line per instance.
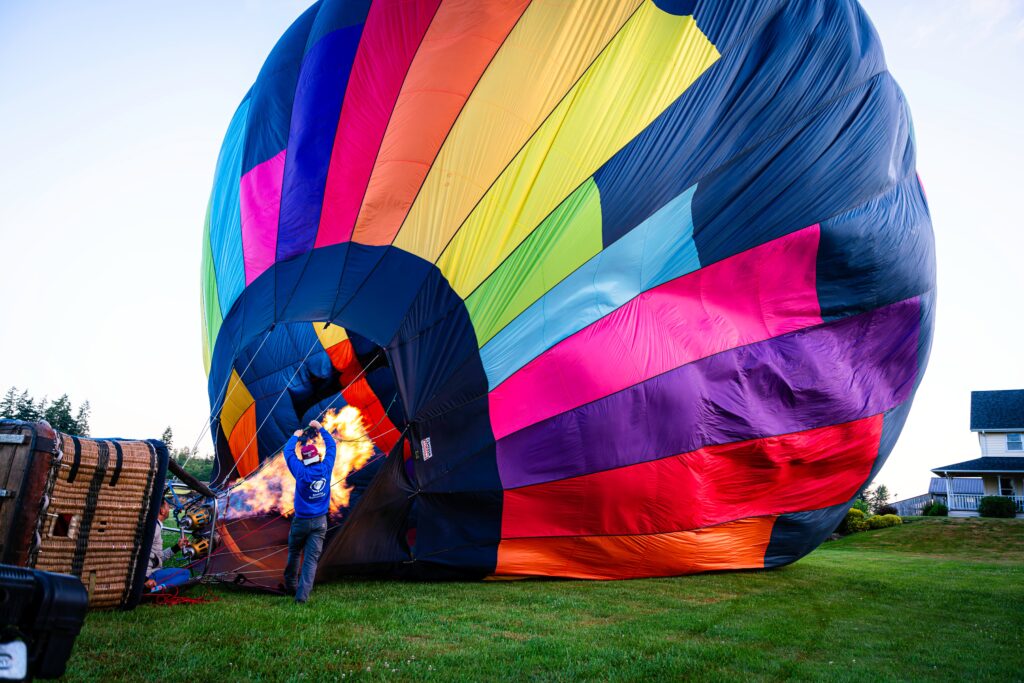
[80, 506]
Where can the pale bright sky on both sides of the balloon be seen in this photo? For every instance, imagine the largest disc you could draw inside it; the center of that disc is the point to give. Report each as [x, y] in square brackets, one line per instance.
[114, 114]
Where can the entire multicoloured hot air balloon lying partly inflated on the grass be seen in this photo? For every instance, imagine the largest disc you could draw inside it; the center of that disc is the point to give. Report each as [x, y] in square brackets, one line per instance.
[609, 289]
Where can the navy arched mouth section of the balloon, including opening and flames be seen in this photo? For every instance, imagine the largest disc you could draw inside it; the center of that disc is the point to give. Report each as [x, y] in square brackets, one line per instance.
[403, 352]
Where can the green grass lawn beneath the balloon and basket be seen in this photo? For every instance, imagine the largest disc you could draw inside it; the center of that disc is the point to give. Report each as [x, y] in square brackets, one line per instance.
[937, 600]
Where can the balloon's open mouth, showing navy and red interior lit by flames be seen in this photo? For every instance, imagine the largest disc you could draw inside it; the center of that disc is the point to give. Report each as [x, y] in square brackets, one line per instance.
[338, 378]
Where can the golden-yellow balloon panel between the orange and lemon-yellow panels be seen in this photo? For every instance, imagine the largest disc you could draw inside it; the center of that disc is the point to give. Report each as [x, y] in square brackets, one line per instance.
[550, 49]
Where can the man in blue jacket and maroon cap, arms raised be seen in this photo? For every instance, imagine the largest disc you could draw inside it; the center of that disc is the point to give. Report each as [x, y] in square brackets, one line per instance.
[312, 471]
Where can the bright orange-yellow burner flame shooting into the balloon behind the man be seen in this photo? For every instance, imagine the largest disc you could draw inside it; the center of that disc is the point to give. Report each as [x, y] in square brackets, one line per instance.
[272, 489]
